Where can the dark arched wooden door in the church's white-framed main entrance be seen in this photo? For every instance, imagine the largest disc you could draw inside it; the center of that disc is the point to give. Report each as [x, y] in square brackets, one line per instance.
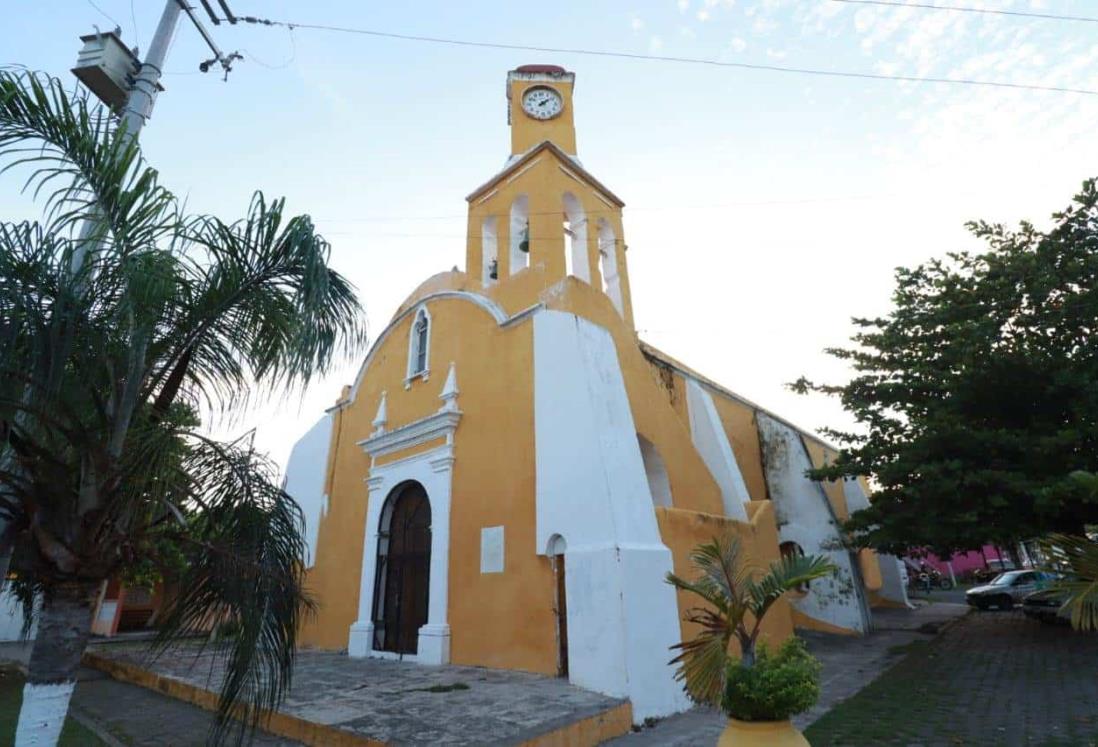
[404, 575]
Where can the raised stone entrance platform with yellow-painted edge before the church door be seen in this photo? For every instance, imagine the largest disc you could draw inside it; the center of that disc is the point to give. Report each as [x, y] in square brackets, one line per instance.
[346, 703]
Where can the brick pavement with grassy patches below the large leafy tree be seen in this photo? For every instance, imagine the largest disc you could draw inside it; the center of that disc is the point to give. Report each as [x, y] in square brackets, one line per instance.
[996, 678]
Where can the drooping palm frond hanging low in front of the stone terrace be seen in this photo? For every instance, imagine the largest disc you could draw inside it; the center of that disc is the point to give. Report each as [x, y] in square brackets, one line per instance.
[244, 565]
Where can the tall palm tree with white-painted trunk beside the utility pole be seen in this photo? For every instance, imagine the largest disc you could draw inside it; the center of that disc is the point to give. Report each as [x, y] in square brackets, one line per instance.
[113, 340]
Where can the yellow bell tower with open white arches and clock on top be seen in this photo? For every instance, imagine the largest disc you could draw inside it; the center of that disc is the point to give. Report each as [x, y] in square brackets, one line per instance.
[544, 218]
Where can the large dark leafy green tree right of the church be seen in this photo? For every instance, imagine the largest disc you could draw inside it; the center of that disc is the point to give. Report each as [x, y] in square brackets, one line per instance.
[978, 395]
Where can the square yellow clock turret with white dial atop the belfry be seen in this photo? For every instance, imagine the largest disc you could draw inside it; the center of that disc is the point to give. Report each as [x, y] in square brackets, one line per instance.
[540, 108]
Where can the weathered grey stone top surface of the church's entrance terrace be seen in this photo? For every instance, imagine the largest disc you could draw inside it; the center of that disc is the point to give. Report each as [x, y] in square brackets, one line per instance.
[406, 704]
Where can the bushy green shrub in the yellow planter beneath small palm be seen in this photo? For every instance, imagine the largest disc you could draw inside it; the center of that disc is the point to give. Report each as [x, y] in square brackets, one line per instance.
[777, 687]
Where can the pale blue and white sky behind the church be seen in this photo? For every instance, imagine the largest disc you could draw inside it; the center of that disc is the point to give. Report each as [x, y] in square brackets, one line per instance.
[764, 209]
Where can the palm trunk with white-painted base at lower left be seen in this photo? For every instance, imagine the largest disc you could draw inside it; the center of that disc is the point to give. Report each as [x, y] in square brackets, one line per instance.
[64, 627]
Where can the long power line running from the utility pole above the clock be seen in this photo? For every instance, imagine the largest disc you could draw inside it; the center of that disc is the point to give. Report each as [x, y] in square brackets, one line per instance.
[667, 59]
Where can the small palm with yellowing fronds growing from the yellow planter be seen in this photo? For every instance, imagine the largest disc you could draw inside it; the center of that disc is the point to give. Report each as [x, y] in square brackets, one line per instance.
[737, 598]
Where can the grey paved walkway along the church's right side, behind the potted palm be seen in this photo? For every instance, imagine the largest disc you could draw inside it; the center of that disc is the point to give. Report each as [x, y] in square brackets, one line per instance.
[850, 663]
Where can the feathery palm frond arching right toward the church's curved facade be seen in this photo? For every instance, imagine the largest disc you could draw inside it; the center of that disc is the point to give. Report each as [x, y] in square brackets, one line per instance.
[261, 307]
